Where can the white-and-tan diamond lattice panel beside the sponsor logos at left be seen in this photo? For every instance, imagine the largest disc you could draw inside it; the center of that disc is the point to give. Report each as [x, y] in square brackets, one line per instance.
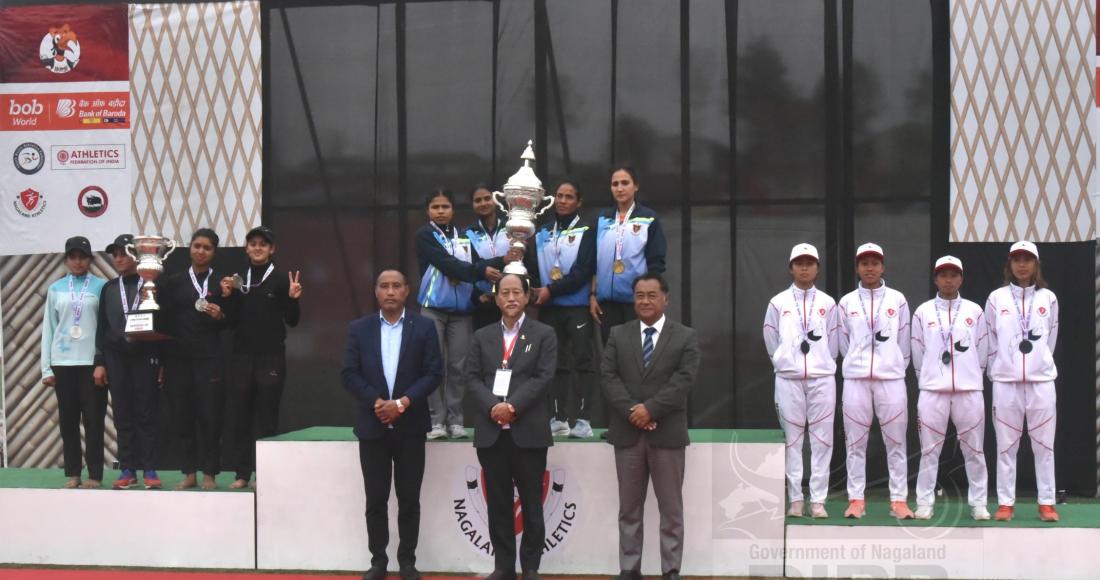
[196, 86]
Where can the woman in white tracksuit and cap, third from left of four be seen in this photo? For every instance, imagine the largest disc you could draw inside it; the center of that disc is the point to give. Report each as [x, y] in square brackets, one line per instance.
[950, 351]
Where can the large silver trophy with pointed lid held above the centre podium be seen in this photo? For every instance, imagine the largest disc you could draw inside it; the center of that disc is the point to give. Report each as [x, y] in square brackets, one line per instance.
[523, 198]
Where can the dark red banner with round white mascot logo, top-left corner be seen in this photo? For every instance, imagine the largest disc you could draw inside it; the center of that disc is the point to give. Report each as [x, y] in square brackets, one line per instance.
[64, 43]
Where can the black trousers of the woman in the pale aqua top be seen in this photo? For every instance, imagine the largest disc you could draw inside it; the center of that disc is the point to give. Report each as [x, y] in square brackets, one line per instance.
[79, 399]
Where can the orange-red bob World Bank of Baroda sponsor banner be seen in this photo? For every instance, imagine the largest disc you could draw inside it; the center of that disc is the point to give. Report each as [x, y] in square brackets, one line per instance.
[65, 112]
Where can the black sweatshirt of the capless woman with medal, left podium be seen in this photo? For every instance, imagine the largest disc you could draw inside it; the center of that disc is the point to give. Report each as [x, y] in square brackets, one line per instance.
[195, 333]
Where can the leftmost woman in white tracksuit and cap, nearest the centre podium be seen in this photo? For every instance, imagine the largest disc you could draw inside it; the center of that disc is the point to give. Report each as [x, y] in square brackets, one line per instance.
[800, 331]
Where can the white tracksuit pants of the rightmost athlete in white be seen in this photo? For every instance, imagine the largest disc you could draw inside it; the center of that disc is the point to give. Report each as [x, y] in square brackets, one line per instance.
[1014, 403]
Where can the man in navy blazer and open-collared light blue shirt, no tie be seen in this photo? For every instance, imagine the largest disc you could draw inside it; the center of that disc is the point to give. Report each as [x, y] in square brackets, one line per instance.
[392, 364]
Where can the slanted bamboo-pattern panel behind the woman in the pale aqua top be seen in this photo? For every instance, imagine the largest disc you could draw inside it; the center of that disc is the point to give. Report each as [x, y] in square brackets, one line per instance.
[34, 437]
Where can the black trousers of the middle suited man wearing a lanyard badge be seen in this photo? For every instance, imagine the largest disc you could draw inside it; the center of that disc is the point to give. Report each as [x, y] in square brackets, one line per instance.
[505, 466]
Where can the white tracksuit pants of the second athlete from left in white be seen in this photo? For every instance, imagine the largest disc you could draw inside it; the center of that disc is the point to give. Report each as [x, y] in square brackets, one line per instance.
[865, 400]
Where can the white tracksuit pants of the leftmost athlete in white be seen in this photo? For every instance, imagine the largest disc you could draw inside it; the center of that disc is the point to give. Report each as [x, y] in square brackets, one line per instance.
[807, 406]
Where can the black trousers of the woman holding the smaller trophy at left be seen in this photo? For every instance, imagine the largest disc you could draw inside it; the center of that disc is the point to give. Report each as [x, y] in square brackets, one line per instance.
[135, 398]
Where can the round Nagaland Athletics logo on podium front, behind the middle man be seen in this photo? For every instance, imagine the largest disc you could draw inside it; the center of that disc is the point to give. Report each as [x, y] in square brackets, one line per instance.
[562, 500]
